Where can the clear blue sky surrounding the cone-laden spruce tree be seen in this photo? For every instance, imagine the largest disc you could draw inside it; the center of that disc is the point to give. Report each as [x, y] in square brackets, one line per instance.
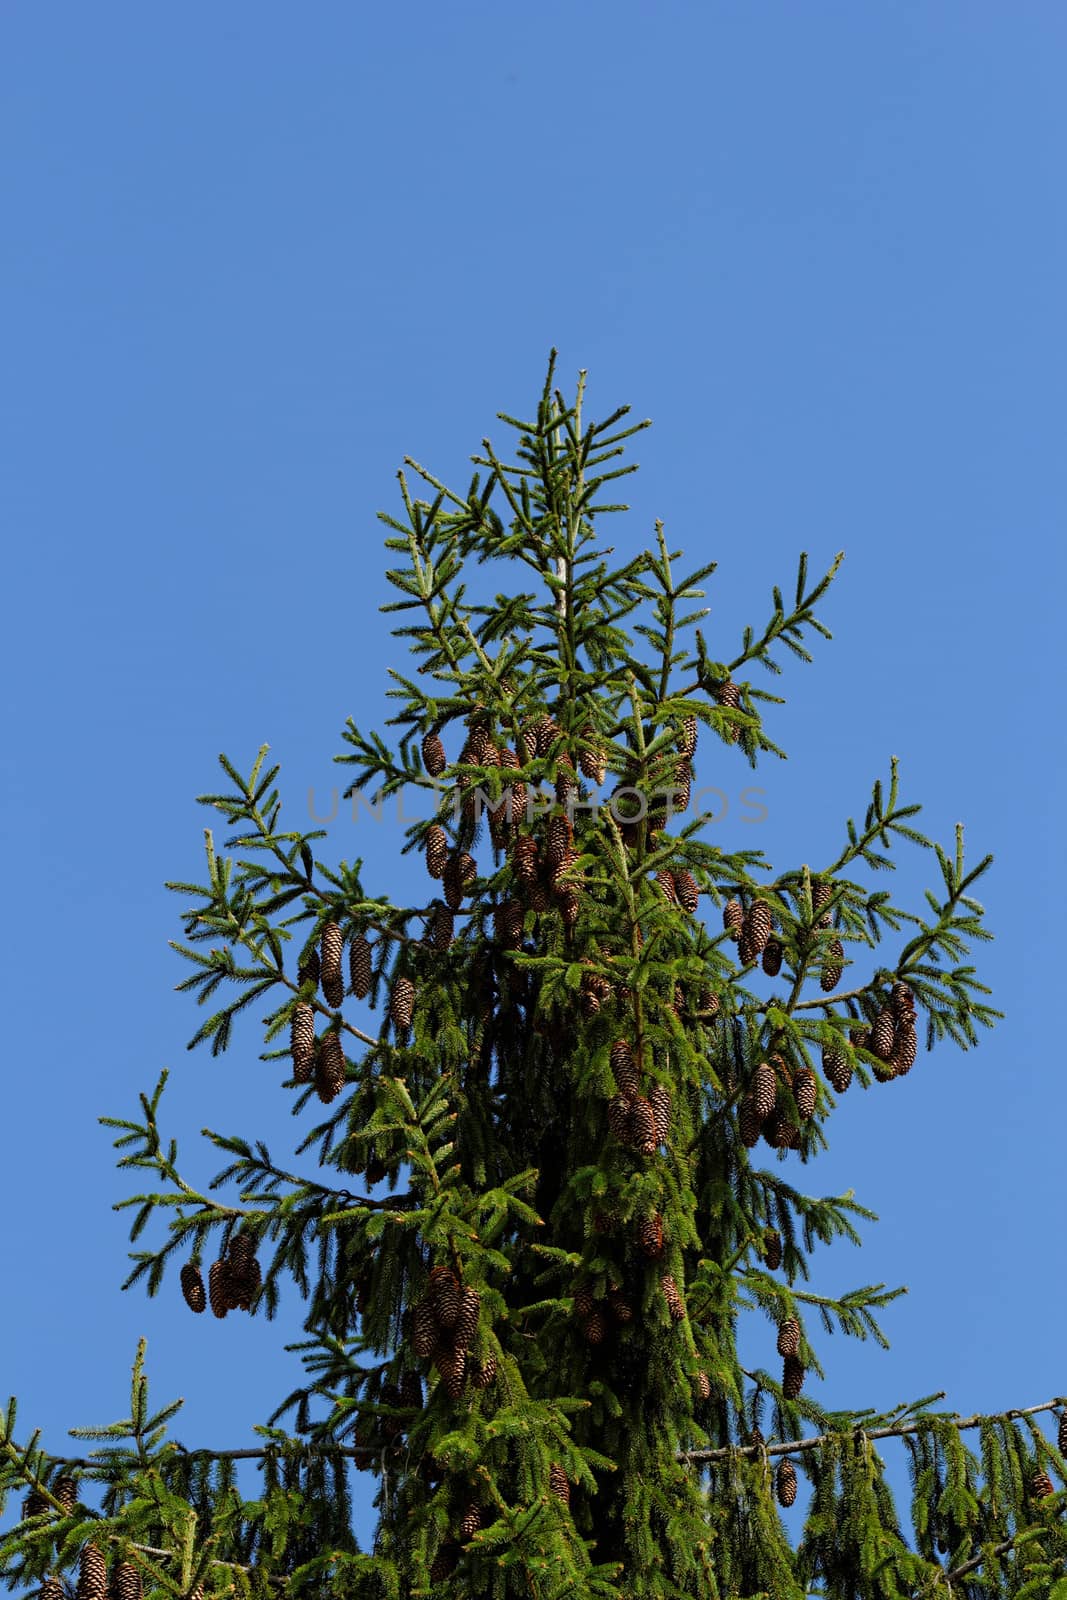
[255, 255]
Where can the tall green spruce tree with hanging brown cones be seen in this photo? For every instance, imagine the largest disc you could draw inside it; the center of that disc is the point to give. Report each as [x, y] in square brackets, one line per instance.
[589, 1070]
